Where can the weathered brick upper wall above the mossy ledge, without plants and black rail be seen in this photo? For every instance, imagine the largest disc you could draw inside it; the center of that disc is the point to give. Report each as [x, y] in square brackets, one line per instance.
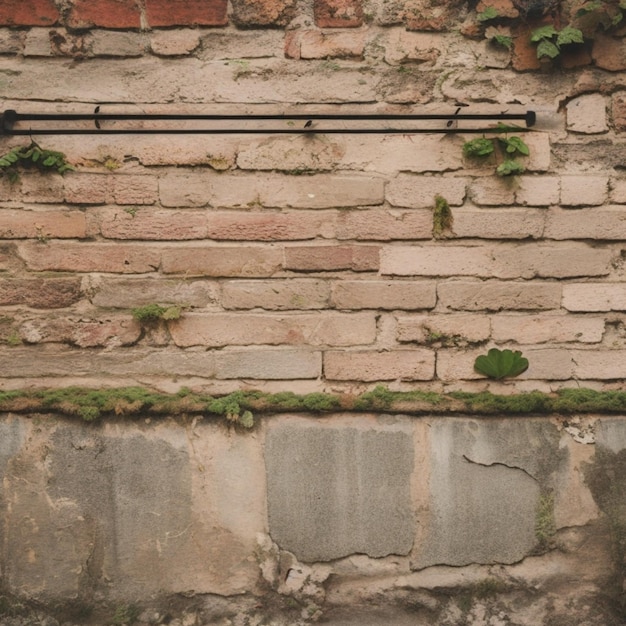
[308, 262]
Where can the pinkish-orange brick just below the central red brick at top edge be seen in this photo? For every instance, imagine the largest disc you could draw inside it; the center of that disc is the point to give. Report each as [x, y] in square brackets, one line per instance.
[314, 44]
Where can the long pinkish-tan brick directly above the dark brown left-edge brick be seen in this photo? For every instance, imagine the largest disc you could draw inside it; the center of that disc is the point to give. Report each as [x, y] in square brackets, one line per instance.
[89, 257]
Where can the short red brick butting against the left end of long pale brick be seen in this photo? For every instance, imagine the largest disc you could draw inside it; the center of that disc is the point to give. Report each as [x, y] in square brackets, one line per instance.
[329, 258]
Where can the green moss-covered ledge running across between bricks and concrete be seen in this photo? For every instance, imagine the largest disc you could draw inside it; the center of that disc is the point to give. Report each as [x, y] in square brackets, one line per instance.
[241, 407]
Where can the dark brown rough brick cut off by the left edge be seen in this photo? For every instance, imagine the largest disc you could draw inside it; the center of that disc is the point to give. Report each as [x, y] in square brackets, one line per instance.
[40, 293]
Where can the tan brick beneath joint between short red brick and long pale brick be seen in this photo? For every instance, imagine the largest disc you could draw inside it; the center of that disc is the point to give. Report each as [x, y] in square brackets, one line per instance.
[378, 294]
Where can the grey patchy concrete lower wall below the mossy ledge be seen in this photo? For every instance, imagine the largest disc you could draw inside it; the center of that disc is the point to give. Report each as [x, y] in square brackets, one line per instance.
[442, 519]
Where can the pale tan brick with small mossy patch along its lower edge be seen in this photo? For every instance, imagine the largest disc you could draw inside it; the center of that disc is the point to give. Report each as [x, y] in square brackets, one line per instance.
[444, 328]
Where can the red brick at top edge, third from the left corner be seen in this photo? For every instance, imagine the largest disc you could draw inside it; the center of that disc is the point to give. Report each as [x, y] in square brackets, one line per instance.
[186, 12]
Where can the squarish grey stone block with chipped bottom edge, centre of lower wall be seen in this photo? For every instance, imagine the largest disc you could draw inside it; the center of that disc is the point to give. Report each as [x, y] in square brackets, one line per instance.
[338, 488]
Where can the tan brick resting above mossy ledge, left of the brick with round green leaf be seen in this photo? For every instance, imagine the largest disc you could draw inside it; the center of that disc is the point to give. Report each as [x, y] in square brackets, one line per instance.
[370, 366]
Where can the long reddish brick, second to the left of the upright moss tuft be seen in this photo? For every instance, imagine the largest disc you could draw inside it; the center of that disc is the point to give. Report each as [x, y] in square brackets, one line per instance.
[266, 226]
